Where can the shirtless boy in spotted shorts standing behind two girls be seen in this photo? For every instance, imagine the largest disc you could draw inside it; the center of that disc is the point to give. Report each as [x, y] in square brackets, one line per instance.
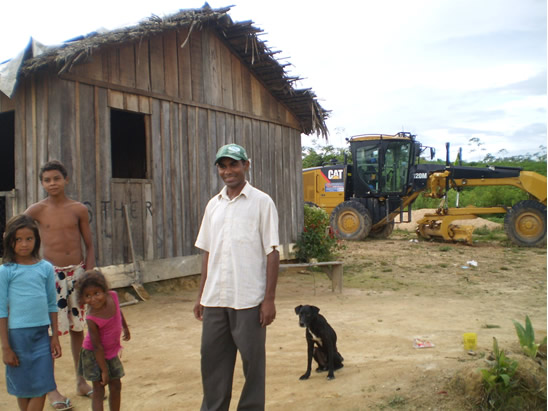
[63, 223]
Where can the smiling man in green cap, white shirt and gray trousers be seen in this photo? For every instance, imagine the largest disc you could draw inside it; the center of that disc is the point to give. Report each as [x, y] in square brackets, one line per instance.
[239, 237]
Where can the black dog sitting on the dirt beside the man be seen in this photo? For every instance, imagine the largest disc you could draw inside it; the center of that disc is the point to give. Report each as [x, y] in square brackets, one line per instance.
[321, 334]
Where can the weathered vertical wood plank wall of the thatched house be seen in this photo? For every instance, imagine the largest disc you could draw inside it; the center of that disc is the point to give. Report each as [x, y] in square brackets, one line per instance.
[194, 99]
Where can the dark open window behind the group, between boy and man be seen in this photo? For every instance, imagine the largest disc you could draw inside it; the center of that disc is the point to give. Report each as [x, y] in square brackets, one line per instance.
[128, 144]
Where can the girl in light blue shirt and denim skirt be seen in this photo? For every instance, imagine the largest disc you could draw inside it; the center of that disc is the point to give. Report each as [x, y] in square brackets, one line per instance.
[28, 307]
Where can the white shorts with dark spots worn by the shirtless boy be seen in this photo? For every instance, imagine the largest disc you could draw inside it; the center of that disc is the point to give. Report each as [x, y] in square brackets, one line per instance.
[71, 315]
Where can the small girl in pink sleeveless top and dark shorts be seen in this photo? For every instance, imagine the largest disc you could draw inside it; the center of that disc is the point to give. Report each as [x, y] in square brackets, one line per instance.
[99, 361]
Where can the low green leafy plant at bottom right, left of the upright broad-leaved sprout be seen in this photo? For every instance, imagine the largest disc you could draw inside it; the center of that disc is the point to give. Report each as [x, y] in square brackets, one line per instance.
[498, 380]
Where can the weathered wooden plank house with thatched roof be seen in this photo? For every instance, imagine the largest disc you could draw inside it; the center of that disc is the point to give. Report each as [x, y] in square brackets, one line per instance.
[137, 115]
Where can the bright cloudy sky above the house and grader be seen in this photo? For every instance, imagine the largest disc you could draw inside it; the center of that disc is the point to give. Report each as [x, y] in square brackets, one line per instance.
[468, 72]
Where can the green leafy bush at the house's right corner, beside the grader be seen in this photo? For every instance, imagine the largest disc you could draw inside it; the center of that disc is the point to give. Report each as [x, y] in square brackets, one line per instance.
[317, 241]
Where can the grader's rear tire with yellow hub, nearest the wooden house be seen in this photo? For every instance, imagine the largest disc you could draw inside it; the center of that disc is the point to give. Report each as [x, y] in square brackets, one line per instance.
[351, 221]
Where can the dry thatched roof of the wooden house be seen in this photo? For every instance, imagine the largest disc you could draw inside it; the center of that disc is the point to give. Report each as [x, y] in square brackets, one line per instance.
[241, 36]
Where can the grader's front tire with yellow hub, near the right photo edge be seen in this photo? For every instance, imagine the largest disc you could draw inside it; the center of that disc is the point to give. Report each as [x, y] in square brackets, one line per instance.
[525, 223]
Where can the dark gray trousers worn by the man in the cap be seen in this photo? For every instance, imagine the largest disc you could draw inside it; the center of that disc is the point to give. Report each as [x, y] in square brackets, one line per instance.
[226, 331]
